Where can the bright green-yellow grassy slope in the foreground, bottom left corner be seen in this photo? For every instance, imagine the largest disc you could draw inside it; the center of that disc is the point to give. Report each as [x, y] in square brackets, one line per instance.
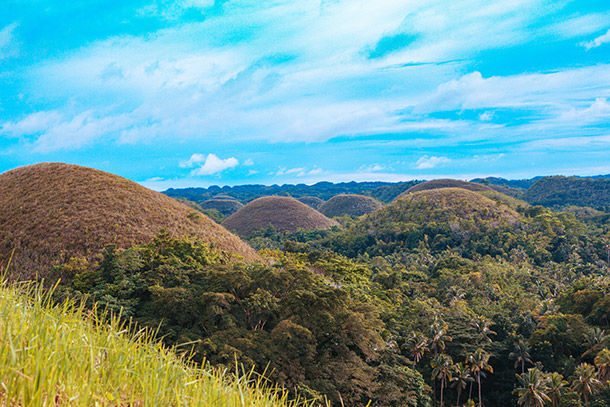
[62, 356]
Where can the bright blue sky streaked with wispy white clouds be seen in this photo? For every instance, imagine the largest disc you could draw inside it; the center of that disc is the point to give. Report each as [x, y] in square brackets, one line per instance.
[200, 92]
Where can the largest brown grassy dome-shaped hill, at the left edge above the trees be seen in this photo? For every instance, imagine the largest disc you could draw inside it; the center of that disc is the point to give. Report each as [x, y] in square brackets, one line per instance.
[53, 211]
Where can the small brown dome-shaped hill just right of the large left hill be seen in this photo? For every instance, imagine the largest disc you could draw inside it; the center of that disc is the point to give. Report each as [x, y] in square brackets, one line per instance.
[282, 213]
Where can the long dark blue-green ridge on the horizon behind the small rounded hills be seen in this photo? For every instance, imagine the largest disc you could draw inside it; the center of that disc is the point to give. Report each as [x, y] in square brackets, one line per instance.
[382, 191]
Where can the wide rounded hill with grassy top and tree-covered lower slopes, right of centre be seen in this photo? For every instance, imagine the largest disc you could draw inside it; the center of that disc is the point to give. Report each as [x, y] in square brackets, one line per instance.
[439, 219]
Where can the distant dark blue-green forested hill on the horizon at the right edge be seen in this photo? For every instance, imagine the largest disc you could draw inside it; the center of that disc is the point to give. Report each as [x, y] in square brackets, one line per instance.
[559, 191]
